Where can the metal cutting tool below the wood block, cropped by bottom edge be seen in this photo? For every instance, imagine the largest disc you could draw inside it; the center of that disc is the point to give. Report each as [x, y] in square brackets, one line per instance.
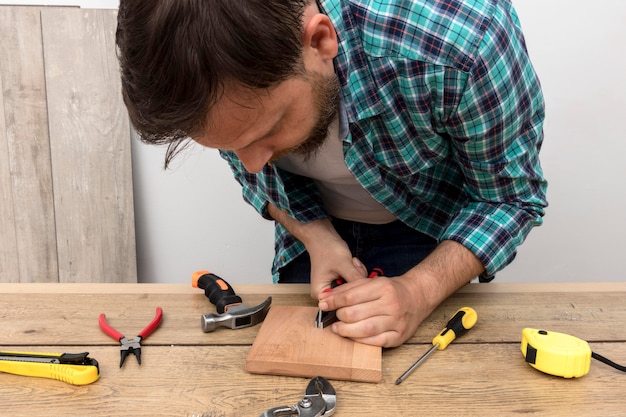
[319, 400]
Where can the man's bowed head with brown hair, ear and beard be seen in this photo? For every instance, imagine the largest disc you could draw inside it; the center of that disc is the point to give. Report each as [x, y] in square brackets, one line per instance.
[188, 64]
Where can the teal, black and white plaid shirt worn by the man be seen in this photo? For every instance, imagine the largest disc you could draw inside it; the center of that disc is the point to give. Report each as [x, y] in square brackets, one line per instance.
[445, 118]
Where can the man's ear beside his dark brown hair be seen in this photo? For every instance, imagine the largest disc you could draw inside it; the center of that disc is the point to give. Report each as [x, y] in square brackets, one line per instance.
[320, 37]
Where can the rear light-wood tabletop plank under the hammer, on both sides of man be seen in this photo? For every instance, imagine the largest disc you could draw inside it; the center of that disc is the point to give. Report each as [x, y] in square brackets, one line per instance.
[591, 316]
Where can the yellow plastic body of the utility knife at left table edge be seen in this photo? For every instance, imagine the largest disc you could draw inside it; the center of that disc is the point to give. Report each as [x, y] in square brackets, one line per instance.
[72, 374]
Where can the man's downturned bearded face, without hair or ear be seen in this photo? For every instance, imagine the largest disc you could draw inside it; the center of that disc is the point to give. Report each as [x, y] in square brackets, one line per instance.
[261, 127]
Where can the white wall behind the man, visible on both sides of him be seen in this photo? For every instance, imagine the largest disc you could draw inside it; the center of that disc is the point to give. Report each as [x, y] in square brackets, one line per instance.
[193, 217]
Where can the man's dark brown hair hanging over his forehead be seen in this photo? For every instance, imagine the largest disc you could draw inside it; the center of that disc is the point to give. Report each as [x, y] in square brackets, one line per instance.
[177, 55]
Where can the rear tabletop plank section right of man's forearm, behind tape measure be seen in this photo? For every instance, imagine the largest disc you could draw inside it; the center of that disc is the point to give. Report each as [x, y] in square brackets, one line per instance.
[588, 315]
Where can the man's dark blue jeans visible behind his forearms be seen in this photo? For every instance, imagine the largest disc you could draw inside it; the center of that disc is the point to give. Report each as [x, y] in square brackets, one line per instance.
[393, 247]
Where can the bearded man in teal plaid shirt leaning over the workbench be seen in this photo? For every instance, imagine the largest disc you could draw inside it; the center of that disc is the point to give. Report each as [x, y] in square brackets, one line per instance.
[398, 134]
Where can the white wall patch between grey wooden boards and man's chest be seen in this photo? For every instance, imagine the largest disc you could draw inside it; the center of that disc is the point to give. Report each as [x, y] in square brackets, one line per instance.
[193, 217]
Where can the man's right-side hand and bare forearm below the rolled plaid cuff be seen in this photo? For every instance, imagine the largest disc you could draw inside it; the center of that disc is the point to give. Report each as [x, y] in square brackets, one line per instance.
[387, 311]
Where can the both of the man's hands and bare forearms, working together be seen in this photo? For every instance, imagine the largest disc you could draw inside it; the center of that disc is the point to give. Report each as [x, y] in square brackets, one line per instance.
[378, 311]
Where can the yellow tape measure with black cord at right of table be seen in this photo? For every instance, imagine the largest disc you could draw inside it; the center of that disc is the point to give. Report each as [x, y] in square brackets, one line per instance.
[559, 354]
